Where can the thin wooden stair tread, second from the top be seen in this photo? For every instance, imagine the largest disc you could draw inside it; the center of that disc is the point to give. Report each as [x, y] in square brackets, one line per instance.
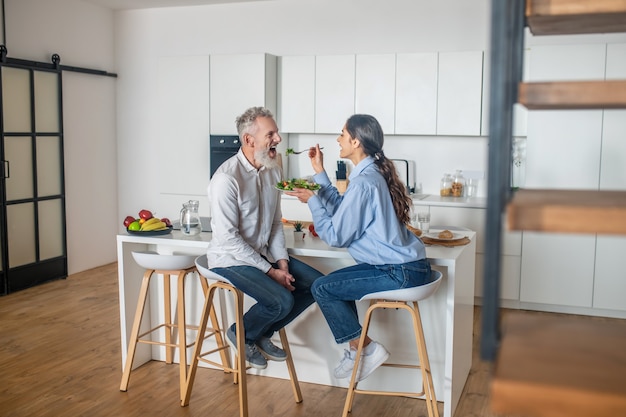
[573, 95]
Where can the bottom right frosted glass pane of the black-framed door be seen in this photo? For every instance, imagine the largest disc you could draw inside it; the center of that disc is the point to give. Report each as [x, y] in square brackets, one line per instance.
[50, 229]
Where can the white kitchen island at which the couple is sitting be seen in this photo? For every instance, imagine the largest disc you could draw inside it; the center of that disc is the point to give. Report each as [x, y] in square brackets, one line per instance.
[447, 316]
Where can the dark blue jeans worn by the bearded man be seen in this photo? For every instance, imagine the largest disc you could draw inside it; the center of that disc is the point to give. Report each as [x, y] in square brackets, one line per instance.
[275, 305]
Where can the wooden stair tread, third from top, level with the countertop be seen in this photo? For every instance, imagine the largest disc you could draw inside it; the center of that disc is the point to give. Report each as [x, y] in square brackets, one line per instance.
[569, 211]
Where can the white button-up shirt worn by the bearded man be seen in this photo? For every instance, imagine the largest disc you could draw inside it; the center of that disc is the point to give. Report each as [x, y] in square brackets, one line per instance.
[246, 217]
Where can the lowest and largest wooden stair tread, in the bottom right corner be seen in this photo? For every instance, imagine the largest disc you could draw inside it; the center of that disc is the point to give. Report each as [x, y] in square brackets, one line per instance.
[557, 366]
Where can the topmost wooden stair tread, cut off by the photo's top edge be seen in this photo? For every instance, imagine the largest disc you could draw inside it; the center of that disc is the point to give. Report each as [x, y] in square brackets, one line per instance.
[559, 17]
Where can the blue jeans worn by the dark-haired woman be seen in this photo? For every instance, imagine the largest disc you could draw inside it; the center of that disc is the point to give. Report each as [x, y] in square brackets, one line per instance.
[337, 292]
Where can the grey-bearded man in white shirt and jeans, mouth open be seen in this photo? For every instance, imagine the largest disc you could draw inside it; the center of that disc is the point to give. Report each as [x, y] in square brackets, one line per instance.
[248, 244]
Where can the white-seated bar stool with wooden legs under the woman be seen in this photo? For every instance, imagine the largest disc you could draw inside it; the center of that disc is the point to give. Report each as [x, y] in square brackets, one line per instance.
[405, 299]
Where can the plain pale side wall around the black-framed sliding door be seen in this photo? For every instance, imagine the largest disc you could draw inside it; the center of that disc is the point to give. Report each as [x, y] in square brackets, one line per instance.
[82, 34]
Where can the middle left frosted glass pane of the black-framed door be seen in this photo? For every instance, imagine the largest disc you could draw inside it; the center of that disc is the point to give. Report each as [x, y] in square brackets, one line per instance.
[18, 152]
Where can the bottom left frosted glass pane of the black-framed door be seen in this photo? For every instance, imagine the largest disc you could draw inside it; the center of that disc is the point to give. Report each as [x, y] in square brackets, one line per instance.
[21, 234]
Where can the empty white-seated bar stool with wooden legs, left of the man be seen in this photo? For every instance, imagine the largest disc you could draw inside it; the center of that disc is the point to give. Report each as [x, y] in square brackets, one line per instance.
[165, 266]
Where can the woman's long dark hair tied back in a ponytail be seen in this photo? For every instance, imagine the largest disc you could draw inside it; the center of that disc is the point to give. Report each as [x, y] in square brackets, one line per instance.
[367, 129]
